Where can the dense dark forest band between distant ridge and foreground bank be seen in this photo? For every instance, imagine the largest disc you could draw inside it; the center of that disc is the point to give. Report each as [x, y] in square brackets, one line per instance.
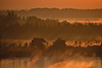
[13, 26]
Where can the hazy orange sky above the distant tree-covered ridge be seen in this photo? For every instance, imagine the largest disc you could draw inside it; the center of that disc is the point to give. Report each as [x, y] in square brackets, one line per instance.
[27, 4]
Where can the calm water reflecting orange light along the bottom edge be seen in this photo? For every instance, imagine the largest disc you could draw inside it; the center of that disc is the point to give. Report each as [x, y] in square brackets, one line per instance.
[70, 62]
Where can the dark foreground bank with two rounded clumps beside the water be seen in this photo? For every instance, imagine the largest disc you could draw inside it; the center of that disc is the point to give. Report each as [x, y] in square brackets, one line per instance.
[39, 47]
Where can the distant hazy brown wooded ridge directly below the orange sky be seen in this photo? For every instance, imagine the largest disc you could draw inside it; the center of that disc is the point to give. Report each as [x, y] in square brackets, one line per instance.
[61, 13]
